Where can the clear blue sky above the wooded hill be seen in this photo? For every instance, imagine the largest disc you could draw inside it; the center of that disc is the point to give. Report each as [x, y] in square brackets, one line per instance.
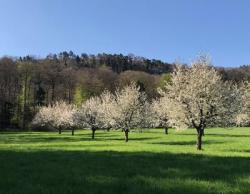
[169, 30]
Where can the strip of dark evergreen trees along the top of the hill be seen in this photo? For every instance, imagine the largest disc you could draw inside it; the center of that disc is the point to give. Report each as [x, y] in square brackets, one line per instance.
[116, 62]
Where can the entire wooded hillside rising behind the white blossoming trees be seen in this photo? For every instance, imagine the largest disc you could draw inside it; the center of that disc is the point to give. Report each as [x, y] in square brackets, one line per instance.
[29, 82]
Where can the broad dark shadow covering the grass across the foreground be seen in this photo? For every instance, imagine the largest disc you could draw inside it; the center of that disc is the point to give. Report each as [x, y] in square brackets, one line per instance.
[121, 173]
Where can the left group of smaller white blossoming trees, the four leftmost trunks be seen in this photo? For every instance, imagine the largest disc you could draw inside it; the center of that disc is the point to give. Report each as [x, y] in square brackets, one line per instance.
[127, 108]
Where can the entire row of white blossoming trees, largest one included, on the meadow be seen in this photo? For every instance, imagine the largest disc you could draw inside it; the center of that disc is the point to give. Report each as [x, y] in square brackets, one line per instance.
[195, 97]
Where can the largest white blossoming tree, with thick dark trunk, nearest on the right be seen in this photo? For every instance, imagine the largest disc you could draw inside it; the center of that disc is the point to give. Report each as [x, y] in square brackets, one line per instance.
[204, 99]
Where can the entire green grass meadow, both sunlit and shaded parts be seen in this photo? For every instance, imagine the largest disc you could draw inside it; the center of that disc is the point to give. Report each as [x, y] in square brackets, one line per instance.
[150, 163]
